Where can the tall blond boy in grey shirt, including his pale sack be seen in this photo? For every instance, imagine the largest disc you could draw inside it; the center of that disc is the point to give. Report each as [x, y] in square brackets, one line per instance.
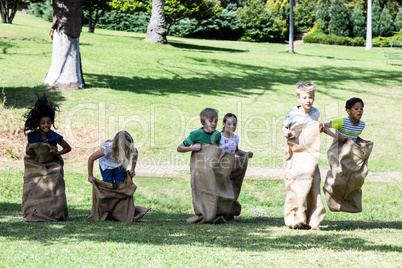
[303, 205]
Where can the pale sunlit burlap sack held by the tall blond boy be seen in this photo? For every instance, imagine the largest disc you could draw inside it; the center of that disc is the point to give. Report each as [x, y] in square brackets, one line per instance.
[303, 204]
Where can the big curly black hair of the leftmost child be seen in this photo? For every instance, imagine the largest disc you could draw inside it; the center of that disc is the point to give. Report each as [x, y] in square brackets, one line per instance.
[42, 108]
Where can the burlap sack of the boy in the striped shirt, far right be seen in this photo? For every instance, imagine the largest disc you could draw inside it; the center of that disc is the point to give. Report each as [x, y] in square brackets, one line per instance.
[348, 163]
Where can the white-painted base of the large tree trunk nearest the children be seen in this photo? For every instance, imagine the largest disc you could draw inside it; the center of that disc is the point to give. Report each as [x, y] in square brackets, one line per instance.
[65, 71]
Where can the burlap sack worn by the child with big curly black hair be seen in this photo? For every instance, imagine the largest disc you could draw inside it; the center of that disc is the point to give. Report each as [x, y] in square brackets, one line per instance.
[43, 197]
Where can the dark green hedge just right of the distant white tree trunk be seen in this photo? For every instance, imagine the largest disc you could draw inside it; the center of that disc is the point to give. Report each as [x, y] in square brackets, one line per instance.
[225, 26]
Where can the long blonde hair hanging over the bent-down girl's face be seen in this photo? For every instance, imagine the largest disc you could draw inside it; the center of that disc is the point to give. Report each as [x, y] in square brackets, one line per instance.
[123, 148]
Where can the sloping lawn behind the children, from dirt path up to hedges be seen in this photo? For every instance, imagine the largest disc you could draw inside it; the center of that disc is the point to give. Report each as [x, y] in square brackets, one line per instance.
[156, 92]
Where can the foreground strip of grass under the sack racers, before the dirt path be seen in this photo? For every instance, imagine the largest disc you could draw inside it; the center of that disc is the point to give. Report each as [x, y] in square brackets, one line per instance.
[258, 238]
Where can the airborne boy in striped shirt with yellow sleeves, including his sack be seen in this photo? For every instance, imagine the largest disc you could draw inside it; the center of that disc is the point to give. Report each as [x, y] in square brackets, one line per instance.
[348, 157]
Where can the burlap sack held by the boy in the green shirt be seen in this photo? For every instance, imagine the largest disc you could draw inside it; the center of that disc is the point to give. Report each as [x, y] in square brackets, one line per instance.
[210, 183]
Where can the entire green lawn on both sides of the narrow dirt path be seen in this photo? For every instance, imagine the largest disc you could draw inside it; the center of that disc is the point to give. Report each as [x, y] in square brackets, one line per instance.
[156, 92]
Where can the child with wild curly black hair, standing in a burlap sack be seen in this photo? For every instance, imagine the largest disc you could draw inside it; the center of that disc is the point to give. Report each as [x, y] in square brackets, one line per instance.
[44, 196]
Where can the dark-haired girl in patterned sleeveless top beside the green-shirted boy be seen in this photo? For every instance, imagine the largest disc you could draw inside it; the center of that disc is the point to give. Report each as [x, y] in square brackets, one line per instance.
[229, 140]
